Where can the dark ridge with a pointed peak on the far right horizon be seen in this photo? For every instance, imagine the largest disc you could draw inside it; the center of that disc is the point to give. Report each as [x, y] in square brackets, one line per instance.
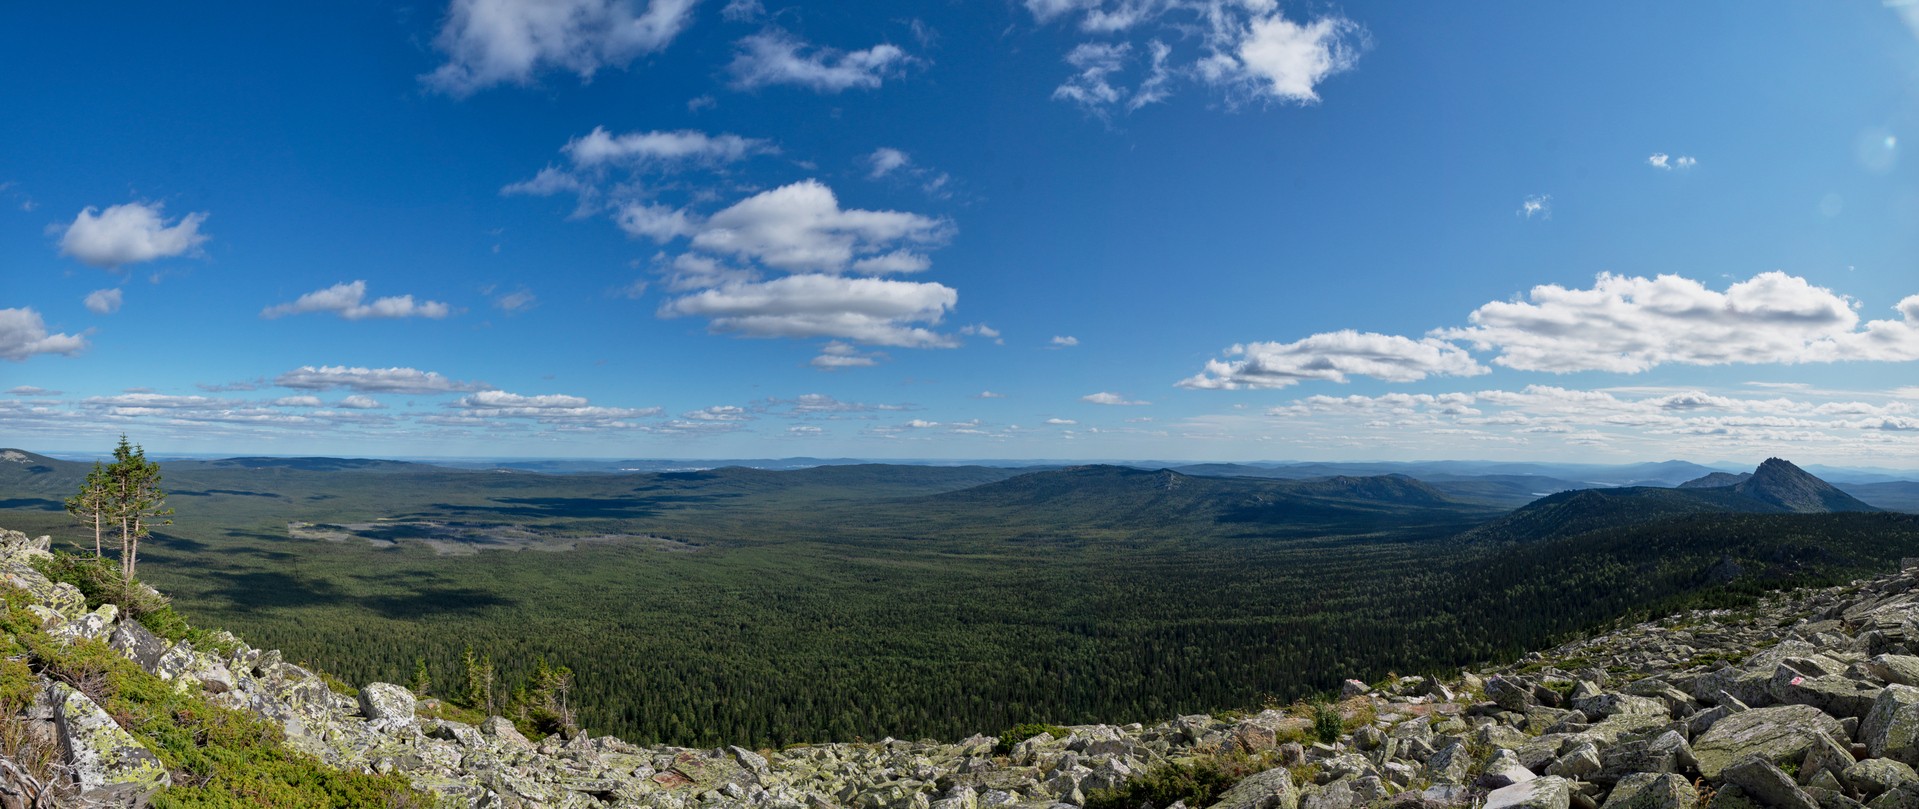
[1776, 488]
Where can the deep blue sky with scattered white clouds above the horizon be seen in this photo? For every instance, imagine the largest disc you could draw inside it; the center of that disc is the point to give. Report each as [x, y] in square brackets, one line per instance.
[1028, 229]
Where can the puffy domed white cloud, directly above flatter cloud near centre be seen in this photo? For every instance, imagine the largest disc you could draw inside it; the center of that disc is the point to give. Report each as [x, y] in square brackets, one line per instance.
[801, 227]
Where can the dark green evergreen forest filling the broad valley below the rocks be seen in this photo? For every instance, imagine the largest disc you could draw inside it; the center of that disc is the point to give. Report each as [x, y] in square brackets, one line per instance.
[751, 609]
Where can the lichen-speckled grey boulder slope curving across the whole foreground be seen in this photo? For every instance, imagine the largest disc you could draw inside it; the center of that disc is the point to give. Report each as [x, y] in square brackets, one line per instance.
[1809, 701]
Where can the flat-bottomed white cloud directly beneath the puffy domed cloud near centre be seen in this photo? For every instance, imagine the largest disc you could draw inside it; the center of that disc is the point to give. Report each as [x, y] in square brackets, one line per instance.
[817, 306]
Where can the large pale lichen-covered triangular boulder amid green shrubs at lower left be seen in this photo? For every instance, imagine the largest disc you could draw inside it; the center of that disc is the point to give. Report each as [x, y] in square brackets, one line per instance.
[107, 762]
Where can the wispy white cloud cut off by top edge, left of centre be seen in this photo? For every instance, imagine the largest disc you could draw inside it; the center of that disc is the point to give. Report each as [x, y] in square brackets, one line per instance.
[508, 41]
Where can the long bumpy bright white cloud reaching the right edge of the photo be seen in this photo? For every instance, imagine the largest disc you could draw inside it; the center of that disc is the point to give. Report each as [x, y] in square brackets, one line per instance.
[1630, 325]
